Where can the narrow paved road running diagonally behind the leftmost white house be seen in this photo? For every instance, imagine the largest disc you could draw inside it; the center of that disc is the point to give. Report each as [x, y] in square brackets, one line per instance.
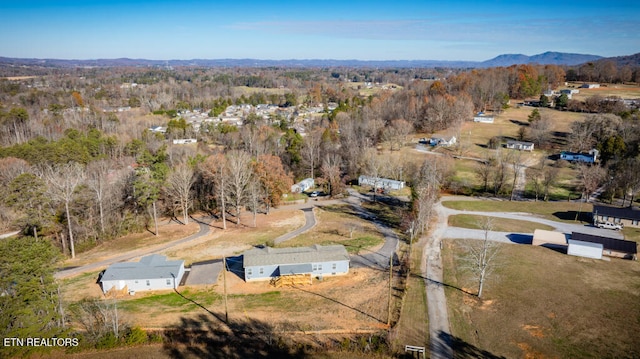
[70, 272]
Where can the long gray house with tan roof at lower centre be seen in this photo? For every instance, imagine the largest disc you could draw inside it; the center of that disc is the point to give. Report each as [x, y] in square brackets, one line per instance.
[266, 263]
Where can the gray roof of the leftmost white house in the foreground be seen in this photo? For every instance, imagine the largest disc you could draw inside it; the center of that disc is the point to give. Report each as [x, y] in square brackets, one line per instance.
[154, 266]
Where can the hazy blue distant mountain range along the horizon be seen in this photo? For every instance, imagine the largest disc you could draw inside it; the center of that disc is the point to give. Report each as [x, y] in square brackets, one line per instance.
[556, 58]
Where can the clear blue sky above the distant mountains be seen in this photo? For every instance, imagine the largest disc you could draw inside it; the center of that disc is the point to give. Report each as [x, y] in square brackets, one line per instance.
[364, 30]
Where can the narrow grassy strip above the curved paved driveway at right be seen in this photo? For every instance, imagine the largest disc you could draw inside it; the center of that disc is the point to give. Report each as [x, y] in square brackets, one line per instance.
[556, 211]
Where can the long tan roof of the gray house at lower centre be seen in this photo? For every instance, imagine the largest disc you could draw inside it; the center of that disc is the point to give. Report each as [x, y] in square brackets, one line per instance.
[294, 255]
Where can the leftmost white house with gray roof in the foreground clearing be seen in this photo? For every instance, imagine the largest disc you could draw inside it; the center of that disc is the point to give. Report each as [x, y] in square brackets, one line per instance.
[150, 273]
